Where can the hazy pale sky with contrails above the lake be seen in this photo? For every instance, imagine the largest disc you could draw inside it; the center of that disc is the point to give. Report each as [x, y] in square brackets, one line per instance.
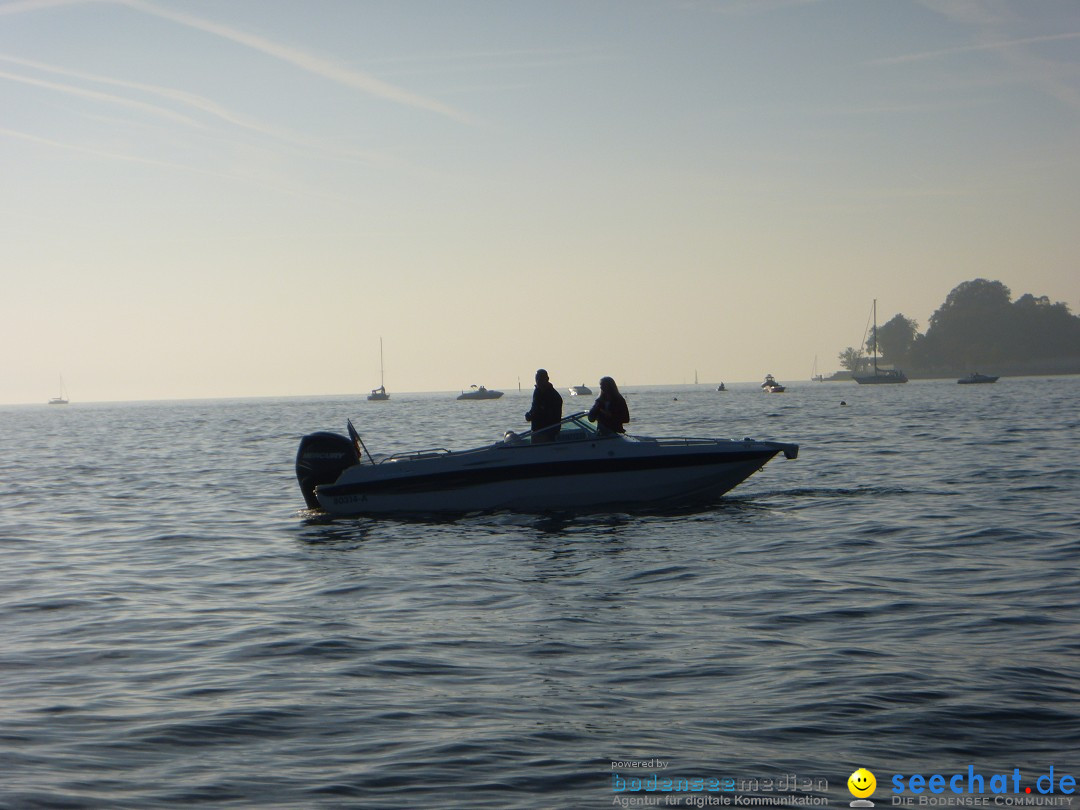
[238, 198]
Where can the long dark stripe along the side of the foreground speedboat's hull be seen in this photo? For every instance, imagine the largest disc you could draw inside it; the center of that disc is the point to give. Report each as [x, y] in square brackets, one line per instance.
[460, 479]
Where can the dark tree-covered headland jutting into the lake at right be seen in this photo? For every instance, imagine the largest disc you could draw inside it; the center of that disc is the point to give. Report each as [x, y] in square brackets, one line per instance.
[979, 329]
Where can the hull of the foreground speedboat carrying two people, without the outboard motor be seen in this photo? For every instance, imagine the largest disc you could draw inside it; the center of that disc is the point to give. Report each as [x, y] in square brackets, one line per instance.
[602, 475]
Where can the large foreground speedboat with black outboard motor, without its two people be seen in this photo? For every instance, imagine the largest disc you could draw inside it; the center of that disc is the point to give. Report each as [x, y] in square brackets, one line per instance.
[577, 468]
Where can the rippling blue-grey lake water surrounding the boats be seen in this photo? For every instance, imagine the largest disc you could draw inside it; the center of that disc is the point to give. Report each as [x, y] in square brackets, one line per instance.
[178, 632]
